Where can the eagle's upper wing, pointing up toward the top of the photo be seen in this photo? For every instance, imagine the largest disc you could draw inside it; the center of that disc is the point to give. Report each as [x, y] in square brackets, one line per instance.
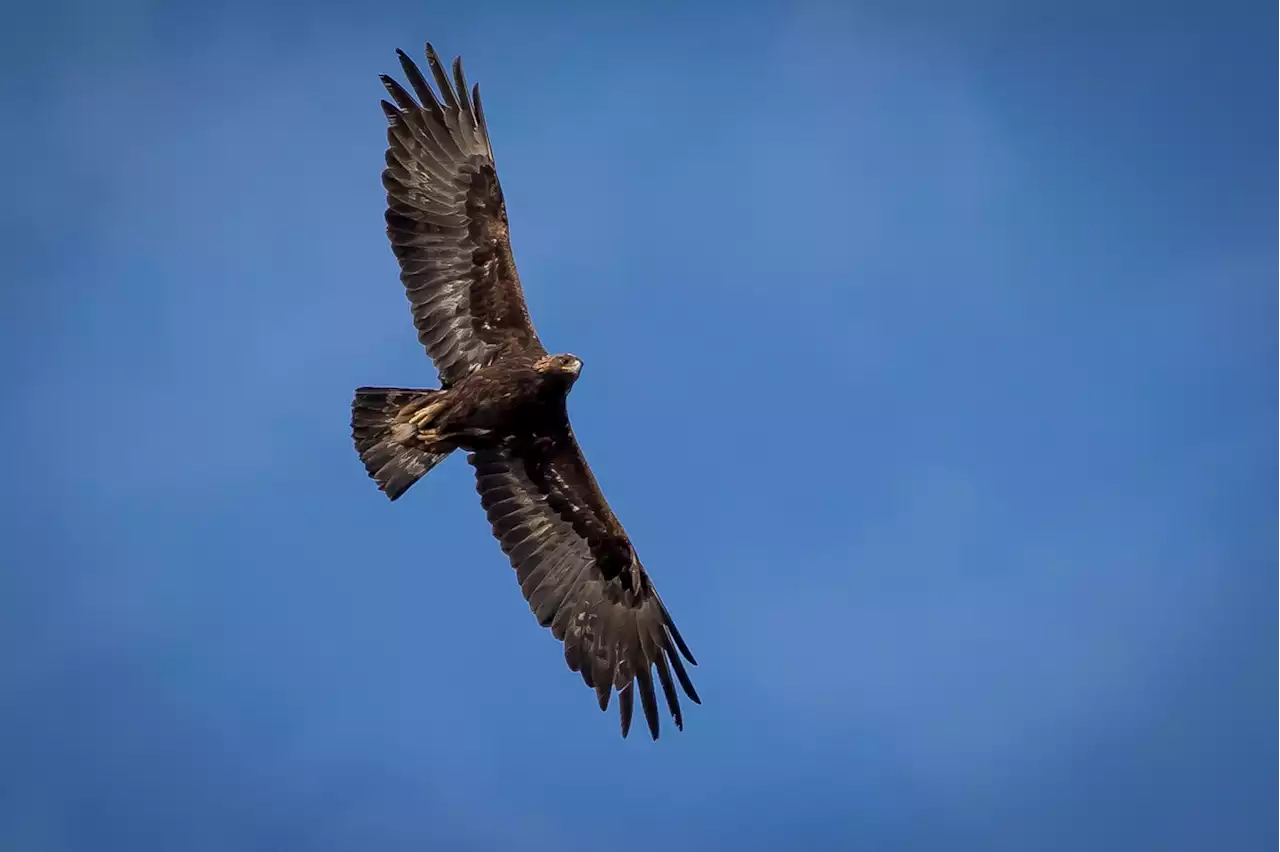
[447, 223]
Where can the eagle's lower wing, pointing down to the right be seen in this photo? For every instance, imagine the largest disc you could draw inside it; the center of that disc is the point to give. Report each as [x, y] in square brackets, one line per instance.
[582, 578]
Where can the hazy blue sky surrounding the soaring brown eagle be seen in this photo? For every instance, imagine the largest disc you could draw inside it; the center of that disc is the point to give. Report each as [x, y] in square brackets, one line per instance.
[927, 364]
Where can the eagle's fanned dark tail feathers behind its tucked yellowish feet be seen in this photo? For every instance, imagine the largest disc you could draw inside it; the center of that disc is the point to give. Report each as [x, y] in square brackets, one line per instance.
[385, 438]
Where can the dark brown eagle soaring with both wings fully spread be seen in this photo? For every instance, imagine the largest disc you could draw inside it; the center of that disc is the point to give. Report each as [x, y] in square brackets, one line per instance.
[502, 401]
